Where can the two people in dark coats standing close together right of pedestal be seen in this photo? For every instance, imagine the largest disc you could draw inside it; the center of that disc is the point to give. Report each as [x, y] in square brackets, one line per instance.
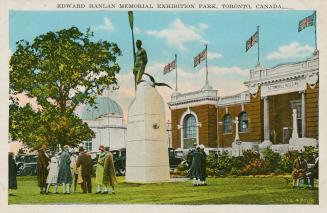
[197, 159]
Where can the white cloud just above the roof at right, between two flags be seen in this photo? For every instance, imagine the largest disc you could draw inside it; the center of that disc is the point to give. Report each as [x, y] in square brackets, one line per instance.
[291, 51]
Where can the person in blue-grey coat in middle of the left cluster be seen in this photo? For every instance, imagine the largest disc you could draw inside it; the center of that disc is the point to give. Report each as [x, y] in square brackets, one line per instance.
[65, 175]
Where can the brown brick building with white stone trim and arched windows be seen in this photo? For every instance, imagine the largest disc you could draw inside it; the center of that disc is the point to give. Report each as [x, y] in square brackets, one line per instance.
[263, 112]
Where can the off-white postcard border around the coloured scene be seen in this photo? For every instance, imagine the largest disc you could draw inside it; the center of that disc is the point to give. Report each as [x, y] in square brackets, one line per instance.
[319, 5]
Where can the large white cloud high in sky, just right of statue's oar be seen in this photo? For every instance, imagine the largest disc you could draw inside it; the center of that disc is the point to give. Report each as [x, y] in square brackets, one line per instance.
[177, 34]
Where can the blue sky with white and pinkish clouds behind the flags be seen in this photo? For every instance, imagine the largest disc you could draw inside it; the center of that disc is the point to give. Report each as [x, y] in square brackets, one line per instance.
[185, 33]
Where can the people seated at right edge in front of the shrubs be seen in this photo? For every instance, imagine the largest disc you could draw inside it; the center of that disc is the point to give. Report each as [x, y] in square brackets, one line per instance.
[302, 175]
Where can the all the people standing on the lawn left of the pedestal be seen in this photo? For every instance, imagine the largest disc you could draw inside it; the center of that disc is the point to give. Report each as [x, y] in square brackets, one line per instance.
[69, 170]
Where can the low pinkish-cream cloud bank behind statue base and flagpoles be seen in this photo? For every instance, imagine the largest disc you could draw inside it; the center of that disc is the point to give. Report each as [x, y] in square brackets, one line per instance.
[228, 80]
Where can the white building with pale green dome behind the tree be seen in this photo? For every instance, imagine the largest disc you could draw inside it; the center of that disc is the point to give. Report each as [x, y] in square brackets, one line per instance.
[106, 120]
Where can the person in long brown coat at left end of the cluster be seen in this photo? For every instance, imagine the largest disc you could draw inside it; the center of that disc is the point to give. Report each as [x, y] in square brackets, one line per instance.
[42, 168]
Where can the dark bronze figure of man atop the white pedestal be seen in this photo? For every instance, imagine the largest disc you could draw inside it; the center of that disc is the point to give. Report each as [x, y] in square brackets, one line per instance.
[141, 60]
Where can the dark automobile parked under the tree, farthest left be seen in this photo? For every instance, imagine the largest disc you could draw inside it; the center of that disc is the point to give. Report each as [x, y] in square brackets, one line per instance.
[26, 165]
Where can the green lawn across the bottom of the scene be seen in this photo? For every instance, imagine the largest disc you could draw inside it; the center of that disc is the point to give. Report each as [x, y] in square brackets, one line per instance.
[238, 190]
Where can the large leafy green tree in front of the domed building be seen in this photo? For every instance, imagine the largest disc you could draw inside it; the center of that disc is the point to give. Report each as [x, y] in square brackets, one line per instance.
[61, 70]
